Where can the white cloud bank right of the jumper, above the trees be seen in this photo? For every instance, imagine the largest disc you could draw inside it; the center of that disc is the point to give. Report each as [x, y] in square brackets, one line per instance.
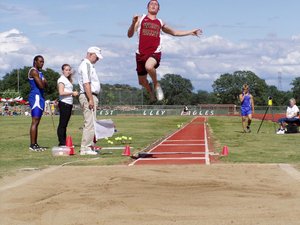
[216, 55]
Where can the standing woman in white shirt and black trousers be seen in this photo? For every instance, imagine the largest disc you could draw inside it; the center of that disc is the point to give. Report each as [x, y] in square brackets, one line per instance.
[65, 104]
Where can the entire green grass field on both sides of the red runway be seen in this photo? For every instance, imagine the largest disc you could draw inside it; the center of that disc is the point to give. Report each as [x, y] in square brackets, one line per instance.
[265, 147]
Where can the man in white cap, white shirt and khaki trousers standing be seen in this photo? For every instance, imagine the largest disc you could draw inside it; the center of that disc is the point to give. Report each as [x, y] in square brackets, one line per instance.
[89, 89]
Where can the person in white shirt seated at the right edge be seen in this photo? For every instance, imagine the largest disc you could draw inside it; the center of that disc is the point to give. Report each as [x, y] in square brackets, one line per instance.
[292, 115]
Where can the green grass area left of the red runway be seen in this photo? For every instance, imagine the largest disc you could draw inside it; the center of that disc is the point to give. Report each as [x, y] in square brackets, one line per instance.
[14, 136]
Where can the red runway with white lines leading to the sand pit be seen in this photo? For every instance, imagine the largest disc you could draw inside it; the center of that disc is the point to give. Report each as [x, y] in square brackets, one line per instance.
[189, 145]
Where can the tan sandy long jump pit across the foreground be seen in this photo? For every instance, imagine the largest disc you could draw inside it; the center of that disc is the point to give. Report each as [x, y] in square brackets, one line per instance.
[213, 195]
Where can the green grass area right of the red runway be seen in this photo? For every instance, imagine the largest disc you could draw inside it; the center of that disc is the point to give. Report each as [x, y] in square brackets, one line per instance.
[264, 147]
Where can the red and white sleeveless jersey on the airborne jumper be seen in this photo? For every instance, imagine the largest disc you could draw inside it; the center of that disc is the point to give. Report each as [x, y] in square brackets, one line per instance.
[149, 36]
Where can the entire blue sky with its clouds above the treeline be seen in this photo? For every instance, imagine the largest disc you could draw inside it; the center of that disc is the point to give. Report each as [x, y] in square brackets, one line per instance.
[262, 36]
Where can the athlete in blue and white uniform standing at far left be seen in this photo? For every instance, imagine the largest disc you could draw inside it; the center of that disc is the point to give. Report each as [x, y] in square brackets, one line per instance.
[36, 99]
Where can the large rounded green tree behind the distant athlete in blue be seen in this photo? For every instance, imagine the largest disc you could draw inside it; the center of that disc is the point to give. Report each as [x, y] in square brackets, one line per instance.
[228, 87]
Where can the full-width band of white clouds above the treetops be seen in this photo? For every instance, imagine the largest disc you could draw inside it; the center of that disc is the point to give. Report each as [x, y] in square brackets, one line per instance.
[201, 60]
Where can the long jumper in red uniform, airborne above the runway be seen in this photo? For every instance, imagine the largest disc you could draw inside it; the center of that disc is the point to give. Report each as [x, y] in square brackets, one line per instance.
[148, 54]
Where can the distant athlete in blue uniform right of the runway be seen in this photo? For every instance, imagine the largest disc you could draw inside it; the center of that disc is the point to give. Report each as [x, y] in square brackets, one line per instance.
[247, 108]
